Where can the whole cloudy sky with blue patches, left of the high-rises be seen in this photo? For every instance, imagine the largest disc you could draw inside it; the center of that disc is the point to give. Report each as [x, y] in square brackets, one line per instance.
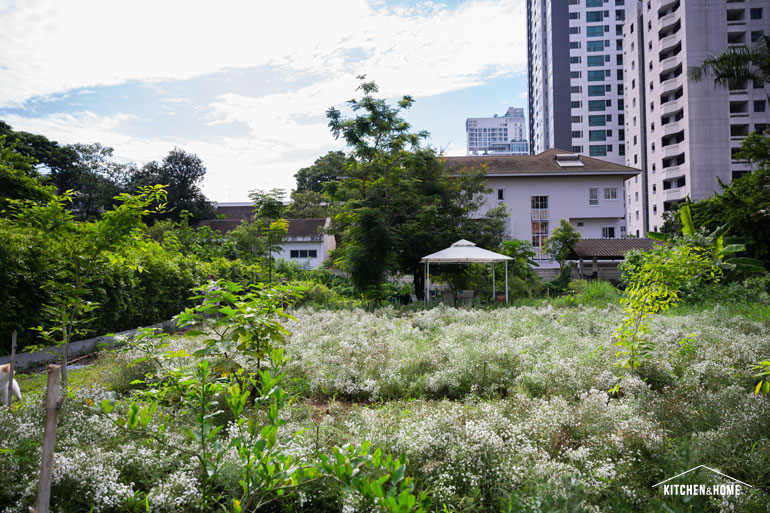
[245, 84]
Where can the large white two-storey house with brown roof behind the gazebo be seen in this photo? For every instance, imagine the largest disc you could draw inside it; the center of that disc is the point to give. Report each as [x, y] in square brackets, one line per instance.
[539, 190]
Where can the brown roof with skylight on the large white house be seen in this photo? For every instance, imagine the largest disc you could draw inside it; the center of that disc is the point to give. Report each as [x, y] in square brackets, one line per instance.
[553, 162]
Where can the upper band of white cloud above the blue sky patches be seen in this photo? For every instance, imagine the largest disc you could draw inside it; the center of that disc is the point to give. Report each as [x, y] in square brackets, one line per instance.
[57, 46]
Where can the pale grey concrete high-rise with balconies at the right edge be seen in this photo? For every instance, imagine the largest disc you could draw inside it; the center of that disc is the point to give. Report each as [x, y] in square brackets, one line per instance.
[683, 135]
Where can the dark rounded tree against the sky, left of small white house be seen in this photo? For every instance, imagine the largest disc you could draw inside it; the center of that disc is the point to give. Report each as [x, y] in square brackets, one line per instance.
[182, 174]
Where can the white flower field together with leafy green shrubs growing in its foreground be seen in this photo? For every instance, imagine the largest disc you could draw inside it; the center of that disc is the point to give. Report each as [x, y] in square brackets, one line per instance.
[497, 410]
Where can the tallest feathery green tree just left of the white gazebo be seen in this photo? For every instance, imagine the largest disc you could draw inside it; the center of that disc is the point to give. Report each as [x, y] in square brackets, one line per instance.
[396, 202]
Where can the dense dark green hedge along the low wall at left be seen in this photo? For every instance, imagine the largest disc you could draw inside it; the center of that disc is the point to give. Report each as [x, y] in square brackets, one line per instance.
[128, 298]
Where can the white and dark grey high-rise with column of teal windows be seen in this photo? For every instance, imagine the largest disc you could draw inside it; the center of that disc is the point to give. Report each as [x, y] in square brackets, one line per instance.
[575, 72]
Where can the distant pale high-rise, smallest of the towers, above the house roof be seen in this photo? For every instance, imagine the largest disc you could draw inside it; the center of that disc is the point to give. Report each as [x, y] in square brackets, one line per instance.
[498, 135]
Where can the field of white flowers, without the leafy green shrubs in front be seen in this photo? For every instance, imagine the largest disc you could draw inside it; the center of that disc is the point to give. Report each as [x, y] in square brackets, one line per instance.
[494, 410]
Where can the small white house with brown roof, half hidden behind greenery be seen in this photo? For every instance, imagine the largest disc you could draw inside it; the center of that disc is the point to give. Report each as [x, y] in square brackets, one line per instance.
[306, 242]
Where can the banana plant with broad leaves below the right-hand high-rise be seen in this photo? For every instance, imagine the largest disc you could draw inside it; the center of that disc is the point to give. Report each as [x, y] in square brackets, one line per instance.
[722, 248]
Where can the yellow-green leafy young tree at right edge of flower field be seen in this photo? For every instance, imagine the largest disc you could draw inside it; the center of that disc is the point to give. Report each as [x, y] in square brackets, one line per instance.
[654, 283]
